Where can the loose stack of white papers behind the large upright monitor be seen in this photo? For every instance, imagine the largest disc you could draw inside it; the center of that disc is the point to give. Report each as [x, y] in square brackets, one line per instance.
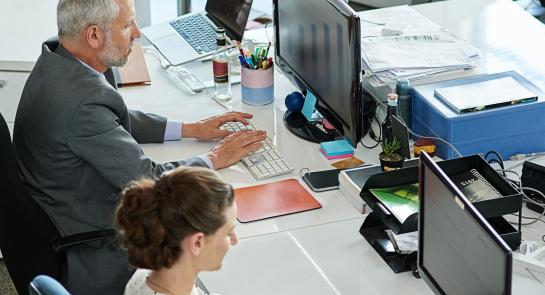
[423, 50]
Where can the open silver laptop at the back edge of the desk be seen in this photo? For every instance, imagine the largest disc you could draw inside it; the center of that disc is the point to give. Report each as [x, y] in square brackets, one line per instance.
[192, 36]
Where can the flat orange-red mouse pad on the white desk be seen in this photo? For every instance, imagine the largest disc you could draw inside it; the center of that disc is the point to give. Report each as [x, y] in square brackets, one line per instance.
[273, 199]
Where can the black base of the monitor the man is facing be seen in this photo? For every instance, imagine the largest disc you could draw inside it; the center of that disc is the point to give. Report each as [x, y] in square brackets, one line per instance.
[301, 127]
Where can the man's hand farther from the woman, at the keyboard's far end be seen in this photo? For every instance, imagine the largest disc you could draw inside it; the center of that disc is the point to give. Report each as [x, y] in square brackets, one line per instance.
[210, 128]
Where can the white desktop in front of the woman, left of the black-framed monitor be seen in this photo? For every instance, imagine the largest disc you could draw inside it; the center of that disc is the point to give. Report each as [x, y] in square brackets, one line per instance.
[327, 259]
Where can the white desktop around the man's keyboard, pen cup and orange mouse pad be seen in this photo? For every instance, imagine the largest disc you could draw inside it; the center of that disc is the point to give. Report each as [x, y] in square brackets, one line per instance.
[165, 97]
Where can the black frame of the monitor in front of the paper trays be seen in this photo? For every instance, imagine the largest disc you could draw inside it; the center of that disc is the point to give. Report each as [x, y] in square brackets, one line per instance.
[427, 162]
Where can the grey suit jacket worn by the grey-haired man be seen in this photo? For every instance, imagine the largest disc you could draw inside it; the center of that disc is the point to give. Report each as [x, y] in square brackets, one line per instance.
[76, 146]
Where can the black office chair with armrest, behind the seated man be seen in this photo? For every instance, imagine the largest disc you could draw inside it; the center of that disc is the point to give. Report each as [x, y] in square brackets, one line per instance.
[29, 241]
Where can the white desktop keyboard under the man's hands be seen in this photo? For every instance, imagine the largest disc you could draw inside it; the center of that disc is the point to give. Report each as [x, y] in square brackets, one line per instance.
[266, 161]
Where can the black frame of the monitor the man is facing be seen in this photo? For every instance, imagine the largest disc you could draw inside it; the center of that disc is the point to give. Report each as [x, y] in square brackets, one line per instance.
[355, 131]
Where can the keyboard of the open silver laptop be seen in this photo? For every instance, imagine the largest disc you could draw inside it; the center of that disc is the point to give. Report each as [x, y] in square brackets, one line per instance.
[197, 31]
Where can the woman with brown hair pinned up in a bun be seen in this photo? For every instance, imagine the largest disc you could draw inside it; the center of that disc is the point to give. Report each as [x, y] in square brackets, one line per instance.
[175, 227]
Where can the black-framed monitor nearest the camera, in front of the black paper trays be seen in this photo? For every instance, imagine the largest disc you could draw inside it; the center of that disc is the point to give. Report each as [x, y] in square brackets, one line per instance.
[458, 251]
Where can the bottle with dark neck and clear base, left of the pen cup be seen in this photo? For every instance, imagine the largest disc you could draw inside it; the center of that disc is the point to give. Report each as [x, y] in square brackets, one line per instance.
[221, 68]
